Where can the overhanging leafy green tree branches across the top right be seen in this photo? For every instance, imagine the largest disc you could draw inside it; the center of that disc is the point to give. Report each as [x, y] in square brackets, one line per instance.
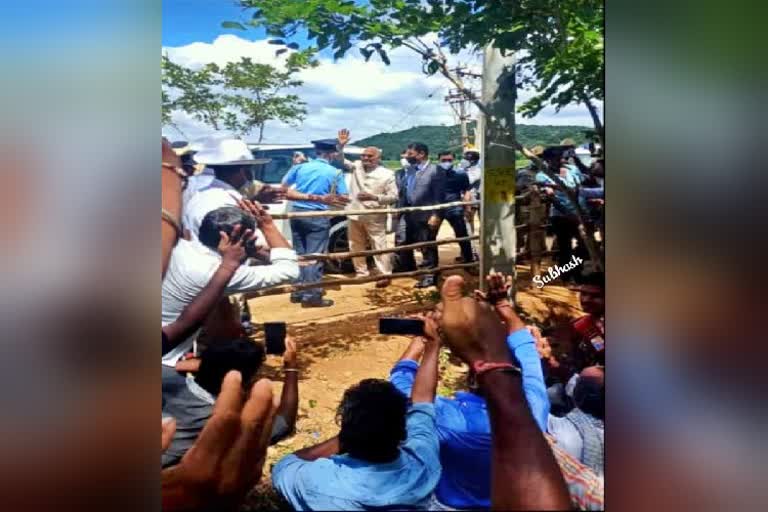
[560, 42]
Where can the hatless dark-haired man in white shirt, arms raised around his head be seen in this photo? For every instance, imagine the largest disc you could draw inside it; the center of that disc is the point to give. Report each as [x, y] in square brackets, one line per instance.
[193, 263]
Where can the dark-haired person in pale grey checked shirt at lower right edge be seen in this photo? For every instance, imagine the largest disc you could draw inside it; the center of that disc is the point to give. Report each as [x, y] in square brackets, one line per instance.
[582, 431]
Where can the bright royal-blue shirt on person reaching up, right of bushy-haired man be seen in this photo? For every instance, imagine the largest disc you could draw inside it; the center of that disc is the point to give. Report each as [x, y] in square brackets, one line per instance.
[464, 428]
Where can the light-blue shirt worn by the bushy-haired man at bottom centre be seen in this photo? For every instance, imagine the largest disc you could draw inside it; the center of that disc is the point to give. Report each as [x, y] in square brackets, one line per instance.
[342, 482]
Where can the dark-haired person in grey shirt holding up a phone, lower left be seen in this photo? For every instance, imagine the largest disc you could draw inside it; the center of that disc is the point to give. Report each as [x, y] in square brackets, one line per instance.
[190, 400]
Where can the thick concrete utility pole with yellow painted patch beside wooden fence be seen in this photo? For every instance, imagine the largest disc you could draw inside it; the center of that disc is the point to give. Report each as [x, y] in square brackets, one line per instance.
[497, 212]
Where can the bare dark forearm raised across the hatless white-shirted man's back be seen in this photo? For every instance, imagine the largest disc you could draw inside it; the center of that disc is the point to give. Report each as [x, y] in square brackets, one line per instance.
[232, 252]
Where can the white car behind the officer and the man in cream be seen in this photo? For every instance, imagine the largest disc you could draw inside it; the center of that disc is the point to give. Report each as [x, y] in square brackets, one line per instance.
[281, 159]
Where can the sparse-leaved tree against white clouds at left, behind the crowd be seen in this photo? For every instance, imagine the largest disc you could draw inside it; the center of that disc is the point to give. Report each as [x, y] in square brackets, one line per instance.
[241, 96]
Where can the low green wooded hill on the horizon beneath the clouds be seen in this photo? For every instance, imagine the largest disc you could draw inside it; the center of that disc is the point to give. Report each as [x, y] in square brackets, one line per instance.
[442, 138]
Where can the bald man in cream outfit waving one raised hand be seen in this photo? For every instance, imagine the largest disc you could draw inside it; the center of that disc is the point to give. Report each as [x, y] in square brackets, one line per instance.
[372, 187]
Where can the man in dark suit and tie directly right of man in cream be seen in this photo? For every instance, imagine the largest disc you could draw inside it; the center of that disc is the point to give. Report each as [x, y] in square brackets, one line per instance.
[421, 183]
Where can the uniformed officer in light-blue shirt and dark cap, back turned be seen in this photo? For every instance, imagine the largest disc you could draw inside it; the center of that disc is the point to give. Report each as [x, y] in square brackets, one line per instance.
[314, 186]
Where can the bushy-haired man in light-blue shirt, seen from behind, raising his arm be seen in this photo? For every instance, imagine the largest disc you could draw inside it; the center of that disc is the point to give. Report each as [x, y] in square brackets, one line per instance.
[384, 457]
